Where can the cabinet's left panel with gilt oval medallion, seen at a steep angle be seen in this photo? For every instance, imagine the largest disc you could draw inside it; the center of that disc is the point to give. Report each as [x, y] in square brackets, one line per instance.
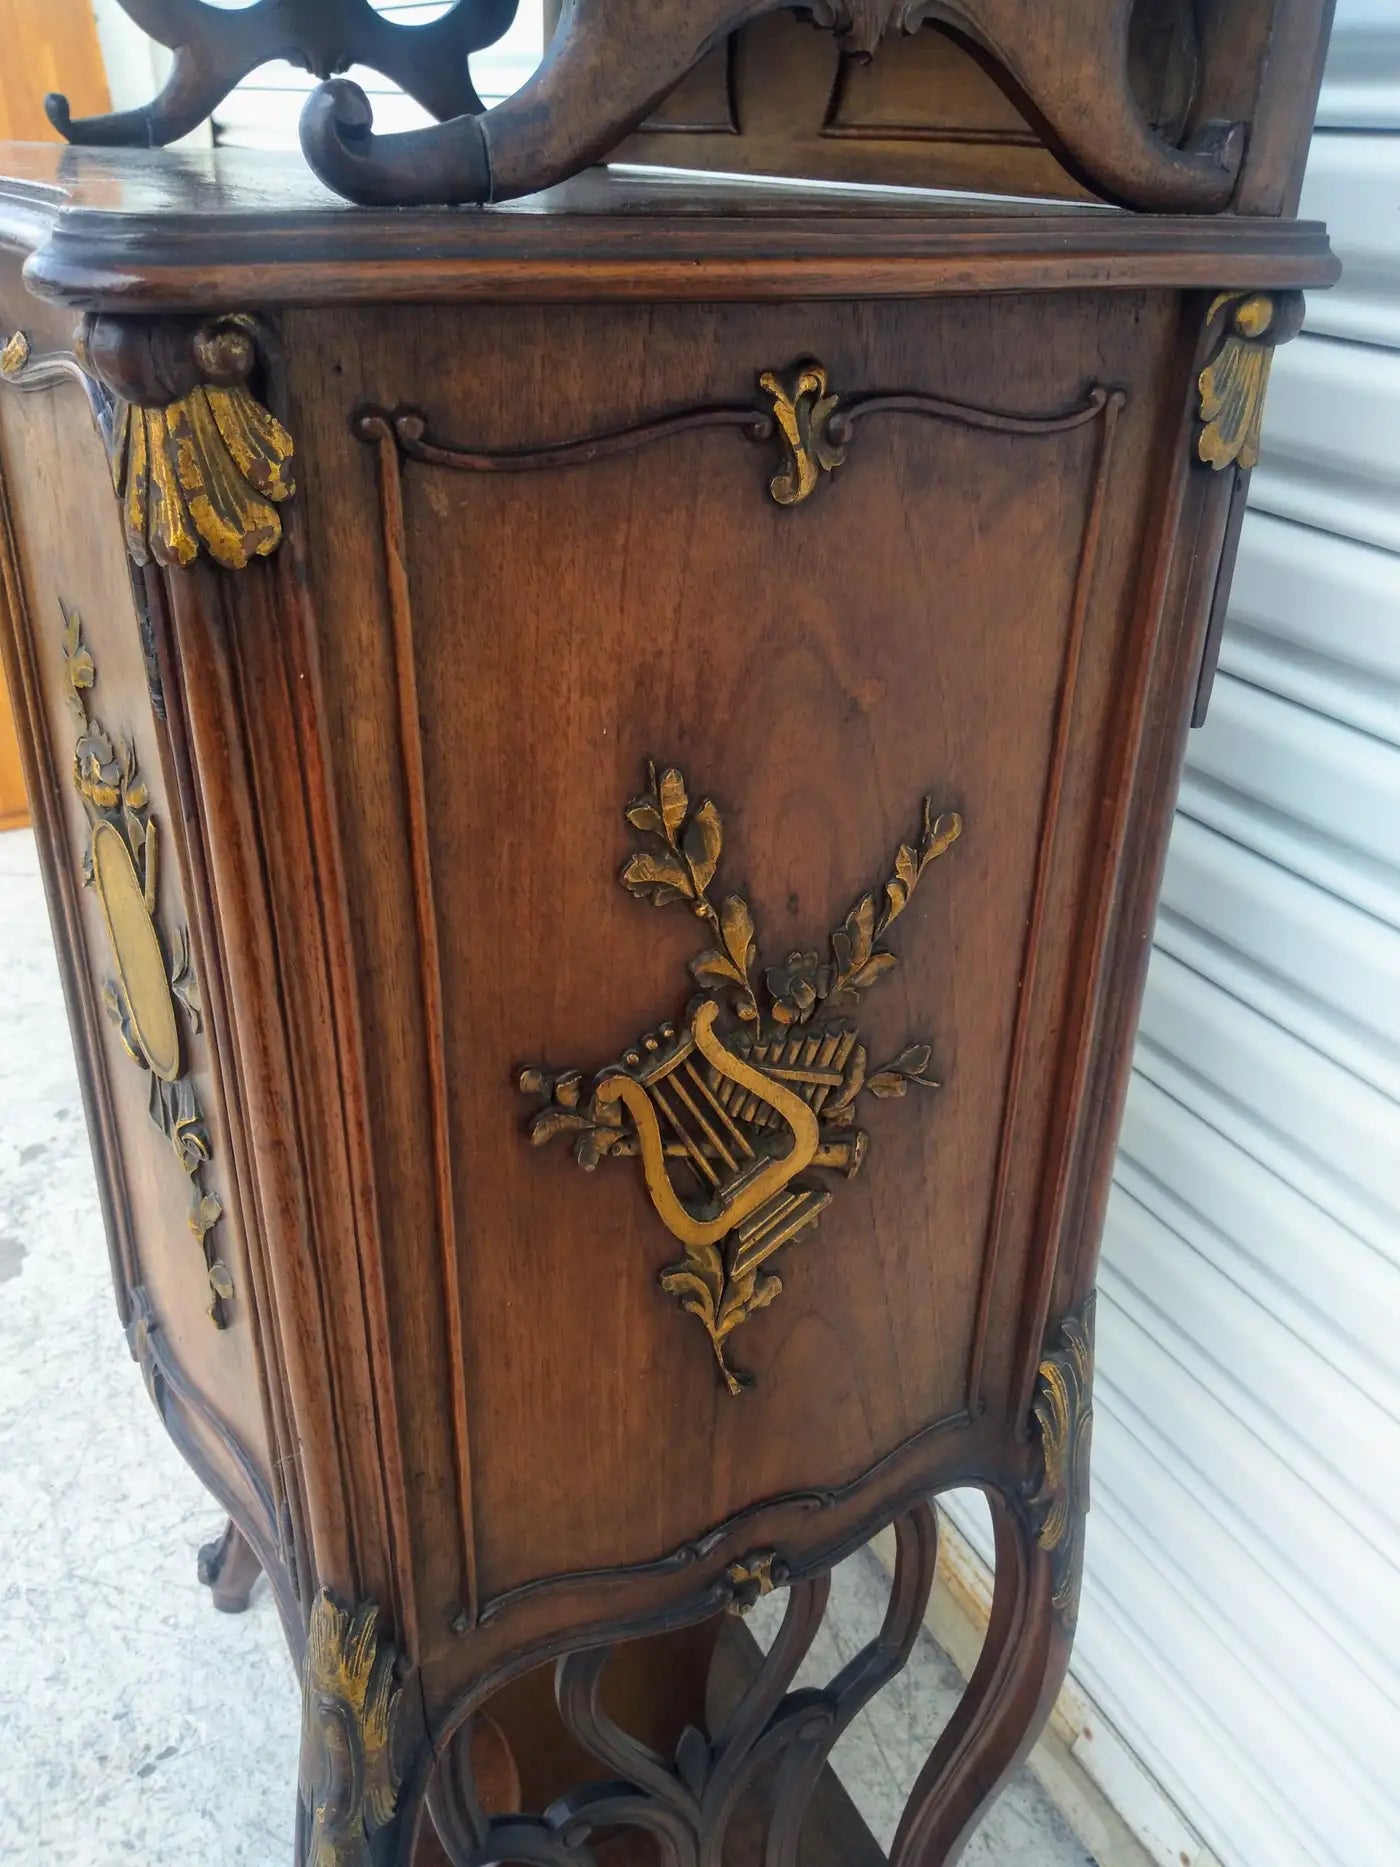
[111, 835]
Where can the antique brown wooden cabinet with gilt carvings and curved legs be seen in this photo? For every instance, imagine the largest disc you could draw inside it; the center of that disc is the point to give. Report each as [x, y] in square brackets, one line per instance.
[602, 766]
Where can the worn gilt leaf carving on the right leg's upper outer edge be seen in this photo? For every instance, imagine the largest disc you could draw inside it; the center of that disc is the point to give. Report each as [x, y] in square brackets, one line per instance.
[1065, 1416]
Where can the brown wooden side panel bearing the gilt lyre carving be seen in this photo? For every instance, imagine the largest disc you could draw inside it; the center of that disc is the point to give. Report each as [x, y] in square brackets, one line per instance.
[852, 643]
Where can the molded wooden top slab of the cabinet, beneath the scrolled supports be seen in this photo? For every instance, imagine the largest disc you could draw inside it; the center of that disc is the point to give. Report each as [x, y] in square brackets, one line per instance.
[161, 231]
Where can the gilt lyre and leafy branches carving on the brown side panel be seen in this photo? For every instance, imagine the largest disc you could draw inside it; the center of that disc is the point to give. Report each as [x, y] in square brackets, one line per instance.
[761, 1082]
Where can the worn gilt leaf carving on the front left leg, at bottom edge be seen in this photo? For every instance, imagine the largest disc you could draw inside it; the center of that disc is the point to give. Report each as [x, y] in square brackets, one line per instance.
[350, 1773]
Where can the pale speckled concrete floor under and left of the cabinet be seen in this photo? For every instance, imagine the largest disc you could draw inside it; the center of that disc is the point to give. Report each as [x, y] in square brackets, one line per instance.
[135, 1722]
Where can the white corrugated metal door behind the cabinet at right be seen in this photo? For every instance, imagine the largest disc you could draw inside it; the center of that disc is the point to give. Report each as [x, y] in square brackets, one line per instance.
[1242, 1607]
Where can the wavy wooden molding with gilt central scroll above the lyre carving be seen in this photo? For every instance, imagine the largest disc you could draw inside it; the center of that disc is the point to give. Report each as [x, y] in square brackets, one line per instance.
[794, 408]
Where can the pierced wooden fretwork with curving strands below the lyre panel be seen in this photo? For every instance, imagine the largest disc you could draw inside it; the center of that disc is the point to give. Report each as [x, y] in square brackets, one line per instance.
[688, 1801]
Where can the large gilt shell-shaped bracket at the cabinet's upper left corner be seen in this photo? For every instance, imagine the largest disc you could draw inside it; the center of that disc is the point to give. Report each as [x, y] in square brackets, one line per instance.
[199, 462]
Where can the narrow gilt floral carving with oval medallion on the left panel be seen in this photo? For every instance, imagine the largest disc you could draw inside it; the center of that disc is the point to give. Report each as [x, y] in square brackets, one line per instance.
[154, 976]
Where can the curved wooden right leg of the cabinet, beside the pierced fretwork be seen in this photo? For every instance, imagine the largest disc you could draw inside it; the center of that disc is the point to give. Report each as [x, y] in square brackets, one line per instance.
[1007, 1702]
